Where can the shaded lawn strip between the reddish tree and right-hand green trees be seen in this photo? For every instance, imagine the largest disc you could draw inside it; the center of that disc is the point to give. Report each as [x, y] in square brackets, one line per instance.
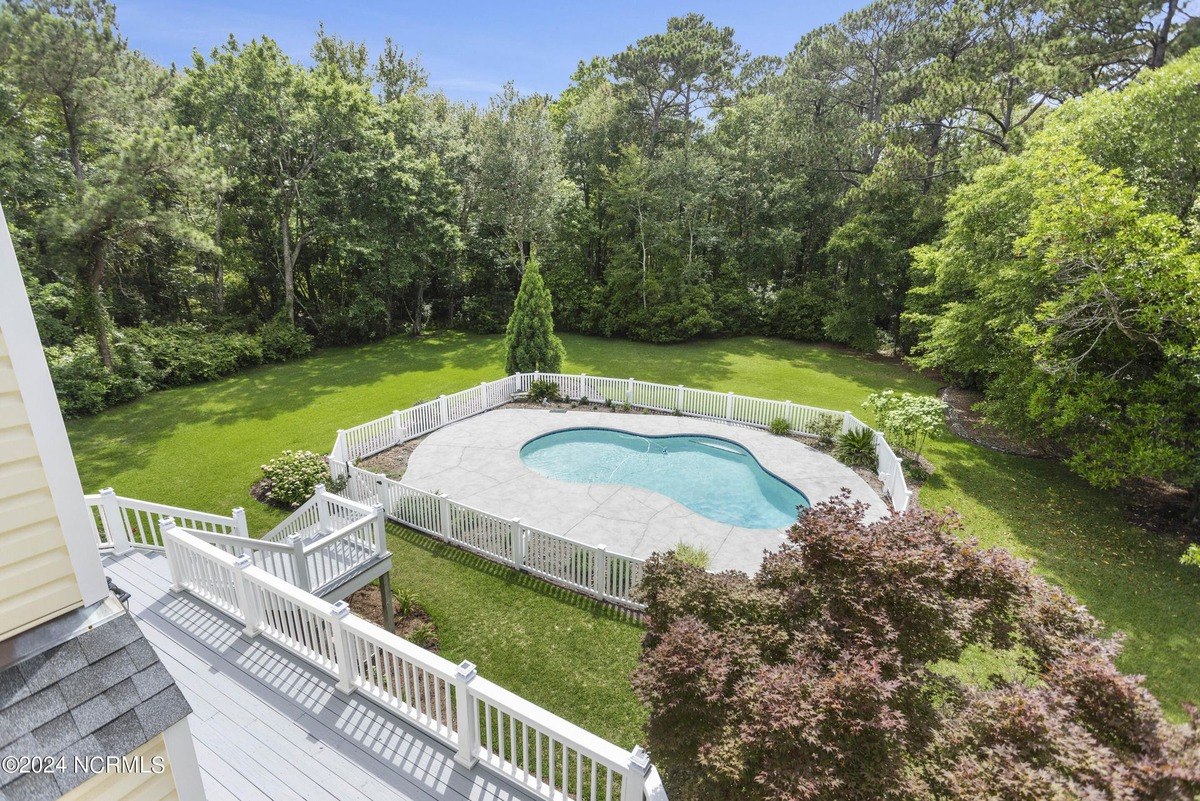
[1130, 579]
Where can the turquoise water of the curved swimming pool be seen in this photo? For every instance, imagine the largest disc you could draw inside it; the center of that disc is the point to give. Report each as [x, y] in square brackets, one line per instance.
[710, 475]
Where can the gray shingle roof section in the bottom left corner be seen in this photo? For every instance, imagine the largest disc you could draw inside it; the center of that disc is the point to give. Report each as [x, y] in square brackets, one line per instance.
[103, 694]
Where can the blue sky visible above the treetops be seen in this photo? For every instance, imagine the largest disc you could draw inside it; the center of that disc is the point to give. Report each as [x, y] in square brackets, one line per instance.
[470, 49]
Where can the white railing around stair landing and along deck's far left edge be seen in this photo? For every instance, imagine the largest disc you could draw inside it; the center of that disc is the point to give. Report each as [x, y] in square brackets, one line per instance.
[327, 540]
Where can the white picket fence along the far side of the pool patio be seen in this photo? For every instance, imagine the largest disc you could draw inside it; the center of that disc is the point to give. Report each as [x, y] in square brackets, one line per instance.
[367, 439]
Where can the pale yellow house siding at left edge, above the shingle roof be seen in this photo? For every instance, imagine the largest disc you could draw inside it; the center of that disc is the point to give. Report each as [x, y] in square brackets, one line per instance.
[38, 581]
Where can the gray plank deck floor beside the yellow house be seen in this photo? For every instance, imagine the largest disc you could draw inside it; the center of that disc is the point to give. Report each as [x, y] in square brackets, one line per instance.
[269, 727]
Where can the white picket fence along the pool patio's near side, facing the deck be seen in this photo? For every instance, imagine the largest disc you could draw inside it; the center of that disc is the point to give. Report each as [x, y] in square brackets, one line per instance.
[591, 570]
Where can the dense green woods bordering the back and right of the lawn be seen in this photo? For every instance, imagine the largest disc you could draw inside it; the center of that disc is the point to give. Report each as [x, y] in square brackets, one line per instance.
[679, 189]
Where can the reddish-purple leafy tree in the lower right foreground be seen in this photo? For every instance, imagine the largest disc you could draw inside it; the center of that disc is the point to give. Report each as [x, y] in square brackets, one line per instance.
[813, 679]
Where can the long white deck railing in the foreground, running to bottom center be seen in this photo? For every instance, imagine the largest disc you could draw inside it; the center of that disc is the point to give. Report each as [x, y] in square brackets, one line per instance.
[483, 722]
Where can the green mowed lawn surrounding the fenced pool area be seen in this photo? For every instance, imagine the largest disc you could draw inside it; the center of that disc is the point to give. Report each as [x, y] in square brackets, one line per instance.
[201, 447]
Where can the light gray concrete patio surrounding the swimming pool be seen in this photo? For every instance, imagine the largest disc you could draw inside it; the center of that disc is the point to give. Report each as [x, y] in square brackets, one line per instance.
[478, 462]
